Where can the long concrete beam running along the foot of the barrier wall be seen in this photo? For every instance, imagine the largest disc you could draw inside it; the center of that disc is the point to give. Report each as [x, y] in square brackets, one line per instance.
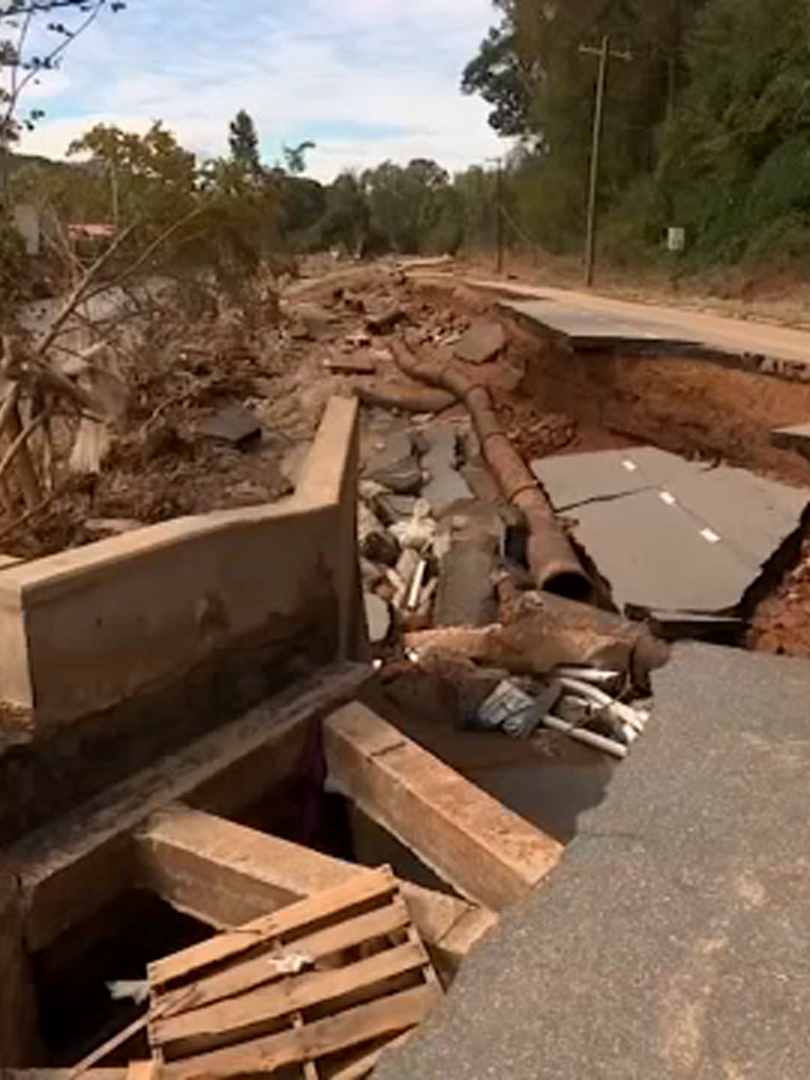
[72, 869]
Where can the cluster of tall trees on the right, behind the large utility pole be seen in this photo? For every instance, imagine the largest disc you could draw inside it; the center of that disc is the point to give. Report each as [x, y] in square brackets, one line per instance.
[707, 127]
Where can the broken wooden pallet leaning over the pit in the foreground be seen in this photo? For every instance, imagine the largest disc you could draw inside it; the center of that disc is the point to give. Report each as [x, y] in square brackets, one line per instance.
[318, 990]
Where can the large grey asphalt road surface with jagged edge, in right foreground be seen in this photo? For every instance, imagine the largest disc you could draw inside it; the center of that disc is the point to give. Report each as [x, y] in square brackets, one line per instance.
[674, 939]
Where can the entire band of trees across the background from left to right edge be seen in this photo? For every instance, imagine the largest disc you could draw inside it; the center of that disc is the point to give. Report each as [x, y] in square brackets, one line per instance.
[707, 128]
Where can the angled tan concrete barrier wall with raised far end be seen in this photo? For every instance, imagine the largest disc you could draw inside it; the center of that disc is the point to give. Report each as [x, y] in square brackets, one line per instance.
[84, 631]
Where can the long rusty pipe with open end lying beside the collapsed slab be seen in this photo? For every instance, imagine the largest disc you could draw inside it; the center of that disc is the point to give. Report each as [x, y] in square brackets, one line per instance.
[552, 560]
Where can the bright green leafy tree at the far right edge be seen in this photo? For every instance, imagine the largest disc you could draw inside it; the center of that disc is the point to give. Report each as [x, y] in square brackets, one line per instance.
[736, 155]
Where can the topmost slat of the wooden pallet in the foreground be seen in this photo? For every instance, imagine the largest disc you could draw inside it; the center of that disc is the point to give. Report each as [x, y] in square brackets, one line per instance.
[294, 922]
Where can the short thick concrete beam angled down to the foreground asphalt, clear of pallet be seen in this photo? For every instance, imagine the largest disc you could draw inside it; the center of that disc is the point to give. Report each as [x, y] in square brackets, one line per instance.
[470, 840]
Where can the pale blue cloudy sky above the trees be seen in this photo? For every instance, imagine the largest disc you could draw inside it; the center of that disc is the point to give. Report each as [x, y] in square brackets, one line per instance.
[367, 80]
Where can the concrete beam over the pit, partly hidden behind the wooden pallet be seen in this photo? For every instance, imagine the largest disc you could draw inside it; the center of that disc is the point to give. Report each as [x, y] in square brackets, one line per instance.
[226, 875]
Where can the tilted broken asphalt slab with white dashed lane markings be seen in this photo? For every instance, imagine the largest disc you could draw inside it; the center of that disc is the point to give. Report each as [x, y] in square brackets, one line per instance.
[670, 535]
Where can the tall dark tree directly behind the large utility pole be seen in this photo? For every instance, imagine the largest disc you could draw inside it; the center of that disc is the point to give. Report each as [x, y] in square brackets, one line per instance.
[531, 69]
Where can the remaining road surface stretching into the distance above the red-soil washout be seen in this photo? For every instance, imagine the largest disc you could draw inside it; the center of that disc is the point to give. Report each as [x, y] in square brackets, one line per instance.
[599, 317]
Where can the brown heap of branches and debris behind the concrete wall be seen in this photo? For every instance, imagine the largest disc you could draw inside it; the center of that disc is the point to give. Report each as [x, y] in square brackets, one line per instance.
[160, 401]
